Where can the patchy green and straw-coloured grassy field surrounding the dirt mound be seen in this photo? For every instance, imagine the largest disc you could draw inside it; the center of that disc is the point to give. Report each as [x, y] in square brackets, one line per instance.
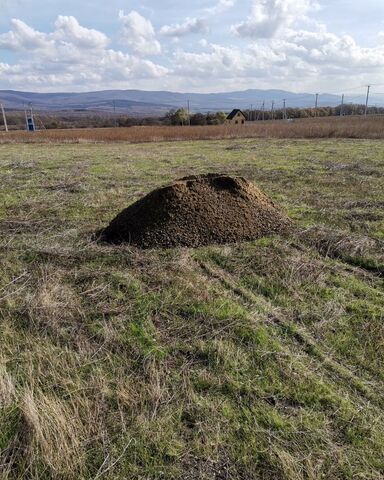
[255, 361]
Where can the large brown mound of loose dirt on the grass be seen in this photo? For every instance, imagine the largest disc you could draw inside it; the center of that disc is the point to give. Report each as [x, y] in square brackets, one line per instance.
[196, 211]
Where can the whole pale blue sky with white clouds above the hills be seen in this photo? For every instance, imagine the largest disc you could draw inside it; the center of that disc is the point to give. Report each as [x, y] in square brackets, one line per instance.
[329, 46]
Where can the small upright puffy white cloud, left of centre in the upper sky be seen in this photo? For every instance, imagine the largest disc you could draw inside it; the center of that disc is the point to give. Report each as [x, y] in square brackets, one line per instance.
[138, 34]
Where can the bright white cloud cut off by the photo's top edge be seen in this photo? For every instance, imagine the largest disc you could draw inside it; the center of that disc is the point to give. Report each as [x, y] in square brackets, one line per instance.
[267, 17]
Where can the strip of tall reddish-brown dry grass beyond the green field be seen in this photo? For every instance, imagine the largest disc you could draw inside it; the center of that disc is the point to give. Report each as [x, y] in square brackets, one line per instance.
[329, 127]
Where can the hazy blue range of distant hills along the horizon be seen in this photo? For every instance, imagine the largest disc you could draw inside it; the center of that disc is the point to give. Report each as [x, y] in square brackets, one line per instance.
[139, 102]
